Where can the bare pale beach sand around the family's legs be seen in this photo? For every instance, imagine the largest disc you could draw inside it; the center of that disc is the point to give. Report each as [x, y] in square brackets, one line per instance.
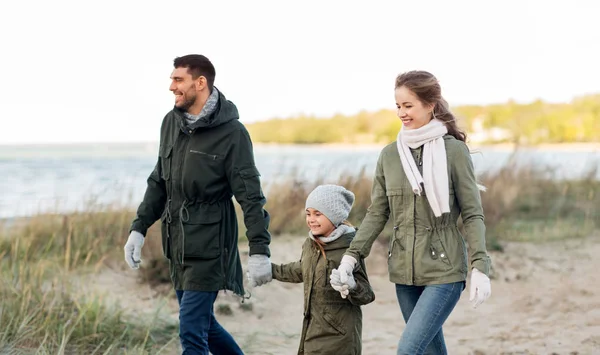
[545, 300]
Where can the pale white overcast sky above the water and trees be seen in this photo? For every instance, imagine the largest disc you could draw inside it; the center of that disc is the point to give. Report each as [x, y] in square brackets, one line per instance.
[78, 71]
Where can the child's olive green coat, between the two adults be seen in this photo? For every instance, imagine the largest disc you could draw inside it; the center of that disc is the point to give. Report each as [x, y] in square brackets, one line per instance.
[332, 325]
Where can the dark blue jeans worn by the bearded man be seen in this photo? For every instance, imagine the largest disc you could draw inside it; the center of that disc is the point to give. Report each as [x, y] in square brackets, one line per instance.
[199, 331]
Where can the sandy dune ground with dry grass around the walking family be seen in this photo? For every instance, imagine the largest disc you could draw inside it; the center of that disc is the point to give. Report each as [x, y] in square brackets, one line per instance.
[64, 288]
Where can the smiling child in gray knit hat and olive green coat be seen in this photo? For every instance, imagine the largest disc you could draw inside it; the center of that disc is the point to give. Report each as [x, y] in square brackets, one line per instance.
[332, 325]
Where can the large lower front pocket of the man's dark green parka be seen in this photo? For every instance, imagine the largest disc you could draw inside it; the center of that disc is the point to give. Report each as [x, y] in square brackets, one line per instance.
[202, 234]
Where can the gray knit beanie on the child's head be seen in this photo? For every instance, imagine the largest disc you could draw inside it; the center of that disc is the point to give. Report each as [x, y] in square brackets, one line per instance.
[333, 201]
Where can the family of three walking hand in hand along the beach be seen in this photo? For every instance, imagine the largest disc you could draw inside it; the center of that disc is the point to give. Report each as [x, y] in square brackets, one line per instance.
[423, 183]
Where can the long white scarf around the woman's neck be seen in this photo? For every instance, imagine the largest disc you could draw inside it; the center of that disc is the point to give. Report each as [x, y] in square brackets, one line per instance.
[435, 171]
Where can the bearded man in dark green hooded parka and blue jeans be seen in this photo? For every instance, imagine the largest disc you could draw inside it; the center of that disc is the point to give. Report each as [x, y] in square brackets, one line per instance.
[205, 157]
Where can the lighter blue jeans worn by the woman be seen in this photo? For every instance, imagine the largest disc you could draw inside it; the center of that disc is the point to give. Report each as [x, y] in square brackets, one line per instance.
[425, 309]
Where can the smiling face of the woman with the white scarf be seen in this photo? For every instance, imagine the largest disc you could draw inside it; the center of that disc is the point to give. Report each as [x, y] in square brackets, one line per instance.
[411, 111]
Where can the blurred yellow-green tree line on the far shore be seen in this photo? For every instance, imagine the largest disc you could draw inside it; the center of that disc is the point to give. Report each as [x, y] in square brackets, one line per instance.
[522, 123]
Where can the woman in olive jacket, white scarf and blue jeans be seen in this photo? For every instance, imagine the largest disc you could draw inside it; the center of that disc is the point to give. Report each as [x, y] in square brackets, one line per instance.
[423, 183]
